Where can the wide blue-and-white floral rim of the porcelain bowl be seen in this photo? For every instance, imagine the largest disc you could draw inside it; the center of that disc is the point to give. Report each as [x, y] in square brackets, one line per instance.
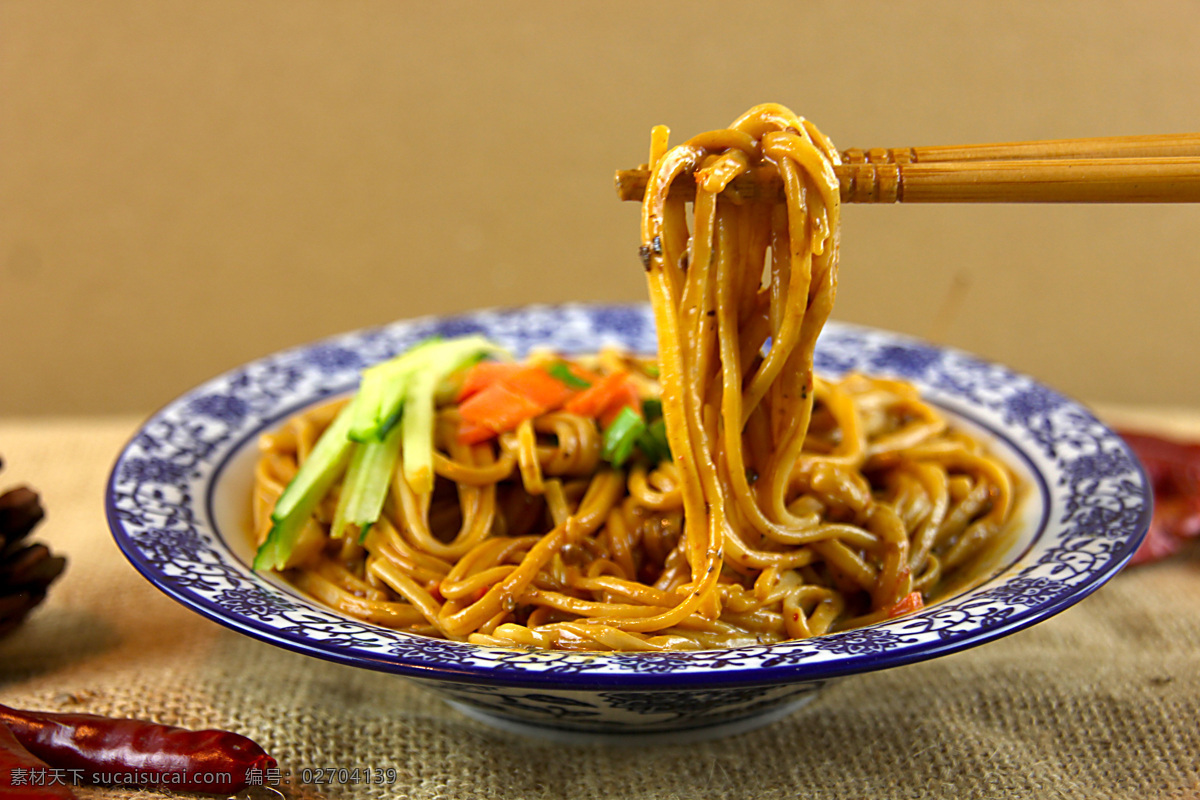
[862, 649]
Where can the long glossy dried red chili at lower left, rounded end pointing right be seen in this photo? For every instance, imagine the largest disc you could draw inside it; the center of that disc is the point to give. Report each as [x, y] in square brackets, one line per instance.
[106, 750]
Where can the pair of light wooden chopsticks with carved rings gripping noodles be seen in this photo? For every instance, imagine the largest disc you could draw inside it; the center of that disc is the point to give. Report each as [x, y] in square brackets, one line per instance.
[1109, 170]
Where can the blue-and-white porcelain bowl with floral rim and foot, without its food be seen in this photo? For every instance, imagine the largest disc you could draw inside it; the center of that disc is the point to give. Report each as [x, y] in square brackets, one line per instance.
[178, 506]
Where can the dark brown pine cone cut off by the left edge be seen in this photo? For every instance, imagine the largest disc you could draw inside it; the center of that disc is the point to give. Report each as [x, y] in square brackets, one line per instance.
[26, 570]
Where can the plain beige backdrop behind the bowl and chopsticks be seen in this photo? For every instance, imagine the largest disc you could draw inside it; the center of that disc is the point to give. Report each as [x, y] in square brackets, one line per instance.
[189, 185]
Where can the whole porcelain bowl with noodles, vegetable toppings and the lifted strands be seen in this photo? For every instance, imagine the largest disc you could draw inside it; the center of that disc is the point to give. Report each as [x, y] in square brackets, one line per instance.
[683, 518]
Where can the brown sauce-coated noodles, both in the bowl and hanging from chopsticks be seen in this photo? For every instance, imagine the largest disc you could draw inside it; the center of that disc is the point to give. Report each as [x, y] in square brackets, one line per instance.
[790, 507]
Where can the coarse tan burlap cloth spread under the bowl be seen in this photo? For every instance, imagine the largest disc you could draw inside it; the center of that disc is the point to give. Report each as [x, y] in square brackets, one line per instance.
[1101, 702]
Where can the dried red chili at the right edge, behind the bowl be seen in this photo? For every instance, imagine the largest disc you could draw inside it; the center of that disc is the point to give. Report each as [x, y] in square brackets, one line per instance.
[1174, 472]
